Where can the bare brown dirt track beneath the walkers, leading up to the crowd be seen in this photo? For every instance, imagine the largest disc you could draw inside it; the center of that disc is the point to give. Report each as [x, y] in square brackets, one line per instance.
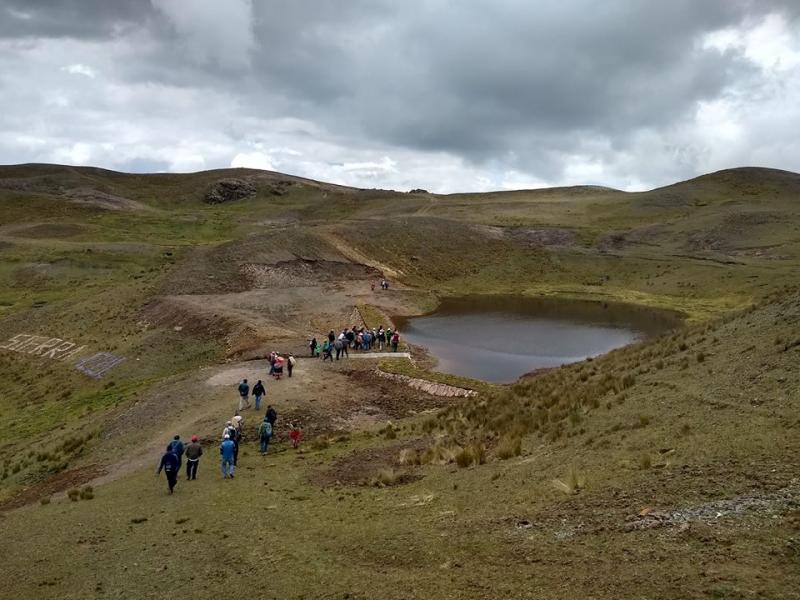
[325, 399]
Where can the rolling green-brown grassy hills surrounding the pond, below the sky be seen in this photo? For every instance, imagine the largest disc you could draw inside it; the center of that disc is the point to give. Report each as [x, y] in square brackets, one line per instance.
[662, 470]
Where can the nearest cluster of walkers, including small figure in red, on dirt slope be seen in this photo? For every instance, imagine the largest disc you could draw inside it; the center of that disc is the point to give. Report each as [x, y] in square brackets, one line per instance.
[232, 436]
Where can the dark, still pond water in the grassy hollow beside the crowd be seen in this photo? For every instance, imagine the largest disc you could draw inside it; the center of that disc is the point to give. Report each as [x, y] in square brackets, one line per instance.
[501, 338]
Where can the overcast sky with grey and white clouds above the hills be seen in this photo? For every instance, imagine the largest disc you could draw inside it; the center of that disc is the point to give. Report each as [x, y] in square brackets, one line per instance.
[447, 95]
